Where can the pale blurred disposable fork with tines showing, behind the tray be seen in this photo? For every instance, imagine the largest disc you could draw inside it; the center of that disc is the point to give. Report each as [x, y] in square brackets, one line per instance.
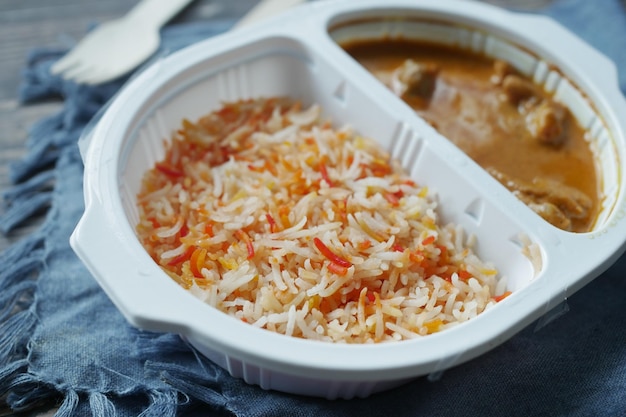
[116, 47]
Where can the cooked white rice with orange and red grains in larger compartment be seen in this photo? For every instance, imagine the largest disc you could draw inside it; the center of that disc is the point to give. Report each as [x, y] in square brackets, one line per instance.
[278, 219]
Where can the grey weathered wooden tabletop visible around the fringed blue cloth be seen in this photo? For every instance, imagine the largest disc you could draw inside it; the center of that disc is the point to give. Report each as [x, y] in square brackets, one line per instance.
[26, 24]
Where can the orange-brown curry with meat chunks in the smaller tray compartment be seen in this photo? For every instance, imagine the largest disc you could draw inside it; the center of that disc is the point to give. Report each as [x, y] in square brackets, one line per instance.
[509, 125]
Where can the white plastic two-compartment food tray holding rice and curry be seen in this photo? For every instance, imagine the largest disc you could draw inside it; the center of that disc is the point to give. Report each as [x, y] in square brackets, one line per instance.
[297, 55]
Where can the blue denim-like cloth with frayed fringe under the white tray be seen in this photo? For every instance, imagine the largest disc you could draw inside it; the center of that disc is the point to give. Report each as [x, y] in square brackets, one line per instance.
[61, 336]
